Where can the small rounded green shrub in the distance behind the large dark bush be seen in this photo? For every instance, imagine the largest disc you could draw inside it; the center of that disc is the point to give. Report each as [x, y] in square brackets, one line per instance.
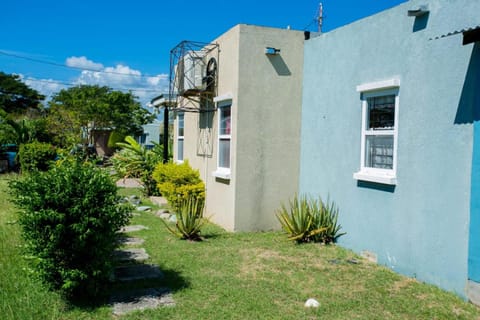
[36, 156]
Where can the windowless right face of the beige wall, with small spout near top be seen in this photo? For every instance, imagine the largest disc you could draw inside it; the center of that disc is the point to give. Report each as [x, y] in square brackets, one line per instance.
[268, 145]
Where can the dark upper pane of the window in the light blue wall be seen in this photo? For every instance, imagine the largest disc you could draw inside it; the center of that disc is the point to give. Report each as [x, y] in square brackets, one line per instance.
[381, 112]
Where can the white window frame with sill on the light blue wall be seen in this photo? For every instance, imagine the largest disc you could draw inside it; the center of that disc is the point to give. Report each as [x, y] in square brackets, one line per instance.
[370, 90]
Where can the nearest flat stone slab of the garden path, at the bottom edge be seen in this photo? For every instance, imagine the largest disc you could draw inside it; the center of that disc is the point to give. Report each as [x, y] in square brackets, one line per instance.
[141, 299]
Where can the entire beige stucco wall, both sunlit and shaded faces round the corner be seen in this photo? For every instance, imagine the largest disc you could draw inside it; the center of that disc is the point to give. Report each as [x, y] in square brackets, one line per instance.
[266, 101]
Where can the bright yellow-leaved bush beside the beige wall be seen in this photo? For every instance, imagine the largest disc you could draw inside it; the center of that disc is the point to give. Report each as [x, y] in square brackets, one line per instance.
[177, 182]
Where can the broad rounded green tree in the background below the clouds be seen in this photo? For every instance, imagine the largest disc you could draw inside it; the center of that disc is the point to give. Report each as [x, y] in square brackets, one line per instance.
[91, 107]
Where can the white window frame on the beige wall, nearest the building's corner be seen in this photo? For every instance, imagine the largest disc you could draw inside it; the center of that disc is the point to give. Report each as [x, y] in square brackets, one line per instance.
[223, 102]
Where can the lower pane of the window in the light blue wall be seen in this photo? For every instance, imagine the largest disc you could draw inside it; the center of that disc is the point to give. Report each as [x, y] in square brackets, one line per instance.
[379, 152]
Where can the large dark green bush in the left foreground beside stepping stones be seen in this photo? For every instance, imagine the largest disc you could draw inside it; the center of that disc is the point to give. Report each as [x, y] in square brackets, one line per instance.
[70, 217]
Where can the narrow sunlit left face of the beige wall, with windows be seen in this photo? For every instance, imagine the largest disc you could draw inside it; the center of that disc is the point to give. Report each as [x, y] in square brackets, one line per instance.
[201, 135]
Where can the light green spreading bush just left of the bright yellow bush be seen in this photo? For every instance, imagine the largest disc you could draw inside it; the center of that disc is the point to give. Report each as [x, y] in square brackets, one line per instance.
[134, 161]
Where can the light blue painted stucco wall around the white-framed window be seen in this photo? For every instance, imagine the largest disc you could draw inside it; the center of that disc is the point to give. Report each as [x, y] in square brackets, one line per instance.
[421, 226]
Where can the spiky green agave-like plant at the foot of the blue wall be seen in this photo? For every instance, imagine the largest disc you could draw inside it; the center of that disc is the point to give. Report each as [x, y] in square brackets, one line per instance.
[310, 220]
